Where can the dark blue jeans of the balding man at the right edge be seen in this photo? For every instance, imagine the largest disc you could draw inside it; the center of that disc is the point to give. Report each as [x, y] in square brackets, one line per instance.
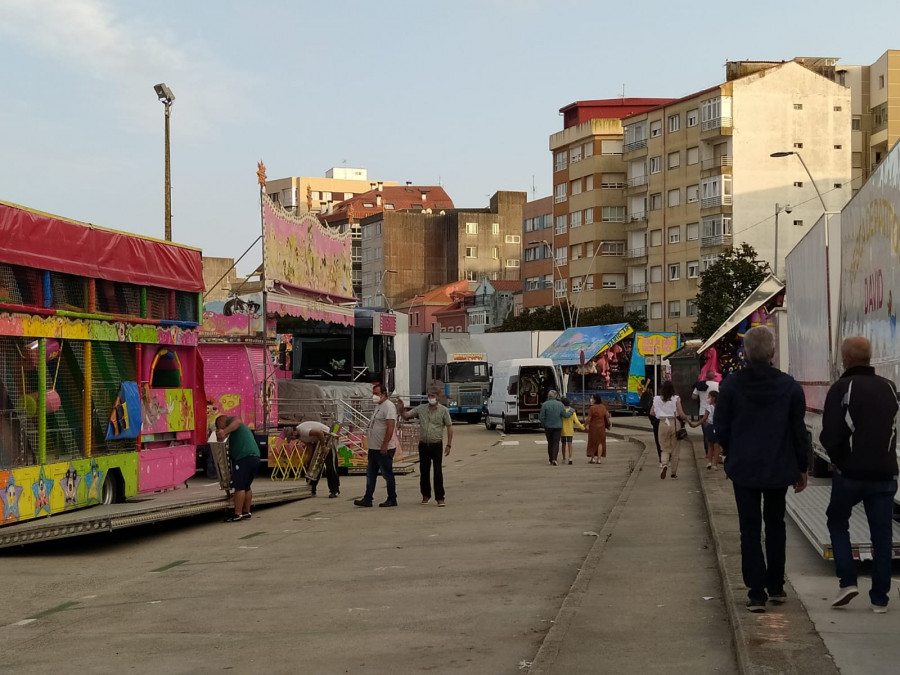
[878, 499]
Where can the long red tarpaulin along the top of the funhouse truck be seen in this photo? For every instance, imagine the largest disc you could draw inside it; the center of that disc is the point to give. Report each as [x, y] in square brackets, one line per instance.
[47, 242]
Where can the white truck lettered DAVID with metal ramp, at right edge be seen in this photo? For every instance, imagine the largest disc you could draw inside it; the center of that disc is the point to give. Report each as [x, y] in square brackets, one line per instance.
[840, 282]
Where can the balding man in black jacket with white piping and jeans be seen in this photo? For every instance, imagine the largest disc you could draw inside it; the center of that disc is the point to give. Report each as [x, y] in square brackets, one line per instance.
[859, 432]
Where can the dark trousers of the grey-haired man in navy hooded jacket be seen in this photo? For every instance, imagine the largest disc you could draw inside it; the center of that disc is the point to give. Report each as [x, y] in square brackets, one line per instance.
[761, 573]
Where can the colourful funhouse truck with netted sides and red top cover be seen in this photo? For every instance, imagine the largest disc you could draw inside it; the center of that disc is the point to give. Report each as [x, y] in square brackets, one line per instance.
[101, 387]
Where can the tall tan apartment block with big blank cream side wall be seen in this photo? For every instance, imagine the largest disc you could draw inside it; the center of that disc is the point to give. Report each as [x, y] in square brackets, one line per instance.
[700, 178]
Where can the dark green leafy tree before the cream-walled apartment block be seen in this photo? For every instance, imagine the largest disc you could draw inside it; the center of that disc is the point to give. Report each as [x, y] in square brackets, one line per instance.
[724, 286]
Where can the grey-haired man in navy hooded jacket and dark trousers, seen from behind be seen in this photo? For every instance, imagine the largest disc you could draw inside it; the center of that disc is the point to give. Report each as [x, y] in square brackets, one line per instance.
[759, 423]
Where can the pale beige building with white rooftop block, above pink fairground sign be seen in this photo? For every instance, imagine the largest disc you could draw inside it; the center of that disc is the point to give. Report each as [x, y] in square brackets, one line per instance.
[299, 194]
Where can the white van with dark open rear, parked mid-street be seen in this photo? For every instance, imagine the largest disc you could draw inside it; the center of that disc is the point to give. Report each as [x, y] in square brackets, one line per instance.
[518, 388]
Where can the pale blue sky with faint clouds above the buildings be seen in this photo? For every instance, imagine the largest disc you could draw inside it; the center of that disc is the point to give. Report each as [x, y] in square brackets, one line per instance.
[461, 93]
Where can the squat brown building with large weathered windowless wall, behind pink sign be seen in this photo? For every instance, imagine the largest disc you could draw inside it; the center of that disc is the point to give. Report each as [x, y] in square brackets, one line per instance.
[409, 253]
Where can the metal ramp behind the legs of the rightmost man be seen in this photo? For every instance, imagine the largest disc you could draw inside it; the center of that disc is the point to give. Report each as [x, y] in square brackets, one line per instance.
[808, 511]
